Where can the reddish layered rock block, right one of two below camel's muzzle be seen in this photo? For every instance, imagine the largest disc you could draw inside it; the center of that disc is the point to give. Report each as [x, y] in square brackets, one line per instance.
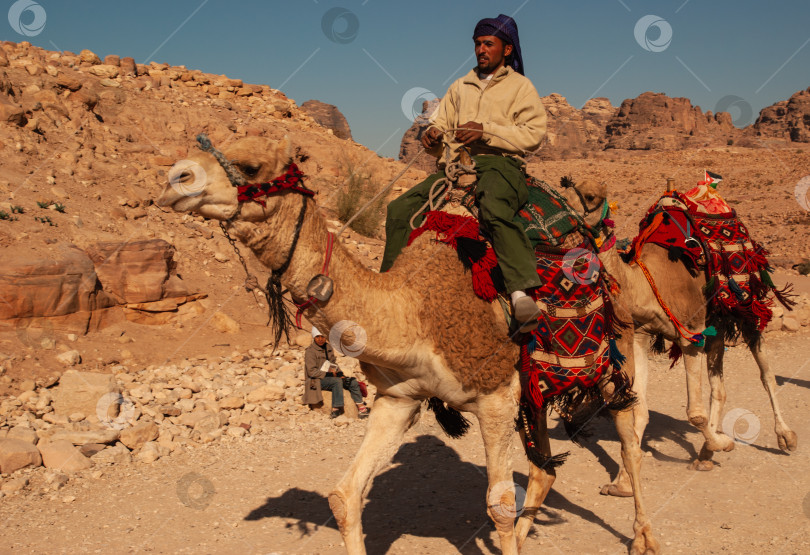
[134, 271]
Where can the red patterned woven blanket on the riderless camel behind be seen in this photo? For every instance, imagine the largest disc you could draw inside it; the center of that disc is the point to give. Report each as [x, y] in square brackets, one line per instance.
[736, 267]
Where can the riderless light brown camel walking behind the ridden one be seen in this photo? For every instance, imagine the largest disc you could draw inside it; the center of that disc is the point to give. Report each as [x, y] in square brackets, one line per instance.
[683, 293]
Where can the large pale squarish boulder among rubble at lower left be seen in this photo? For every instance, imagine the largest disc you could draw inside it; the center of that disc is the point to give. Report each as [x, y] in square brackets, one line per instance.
[82, 392]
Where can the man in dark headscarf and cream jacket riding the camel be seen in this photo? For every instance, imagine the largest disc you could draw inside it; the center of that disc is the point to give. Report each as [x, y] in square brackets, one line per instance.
[501, 117]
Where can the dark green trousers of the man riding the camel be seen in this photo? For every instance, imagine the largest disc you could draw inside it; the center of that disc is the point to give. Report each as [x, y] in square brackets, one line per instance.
[500, 192]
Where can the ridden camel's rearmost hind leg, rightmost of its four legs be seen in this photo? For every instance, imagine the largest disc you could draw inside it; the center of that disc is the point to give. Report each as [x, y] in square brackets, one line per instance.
[644, 542]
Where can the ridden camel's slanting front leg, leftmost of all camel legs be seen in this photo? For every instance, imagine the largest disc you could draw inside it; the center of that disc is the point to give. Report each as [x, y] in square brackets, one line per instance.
[387, 425]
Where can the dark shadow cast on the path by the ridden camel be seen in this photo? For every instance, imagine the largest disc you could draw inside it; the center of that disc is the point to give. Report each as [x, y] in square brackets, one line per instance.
[428, 492]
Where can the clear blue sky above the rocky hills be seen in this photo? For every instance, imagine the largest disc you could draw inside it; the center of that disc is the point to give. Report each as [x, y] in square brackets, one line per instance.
[369, 57]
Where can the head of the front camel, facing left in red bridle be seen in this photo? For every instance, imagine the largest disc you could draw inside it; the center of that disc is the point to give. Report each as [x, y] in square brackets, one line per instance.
[200, 184]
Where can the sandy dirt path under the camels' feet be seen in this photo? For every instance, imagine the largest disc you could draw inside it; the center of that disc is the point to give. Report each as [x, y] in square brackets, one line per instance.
[268, 495]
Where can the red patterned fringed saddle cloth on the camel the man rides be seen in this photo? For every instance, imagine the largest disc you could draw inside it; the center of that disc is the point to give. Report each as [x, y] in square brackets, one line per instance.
[563, 360]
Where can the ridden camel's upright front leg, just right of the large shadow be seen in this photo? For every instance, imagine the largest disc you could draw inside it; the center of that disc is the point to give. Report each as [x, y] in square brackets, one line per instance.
[496, 414]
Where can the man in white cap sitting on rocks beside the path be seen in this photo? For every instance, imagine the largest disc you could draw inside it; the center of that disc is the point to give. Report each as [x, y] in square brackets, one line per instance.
[322, 372]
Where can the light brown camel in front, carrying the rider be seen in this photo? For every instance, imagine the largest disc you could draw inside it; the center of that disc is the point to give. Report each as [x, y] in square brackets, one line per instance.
[428, 335]
